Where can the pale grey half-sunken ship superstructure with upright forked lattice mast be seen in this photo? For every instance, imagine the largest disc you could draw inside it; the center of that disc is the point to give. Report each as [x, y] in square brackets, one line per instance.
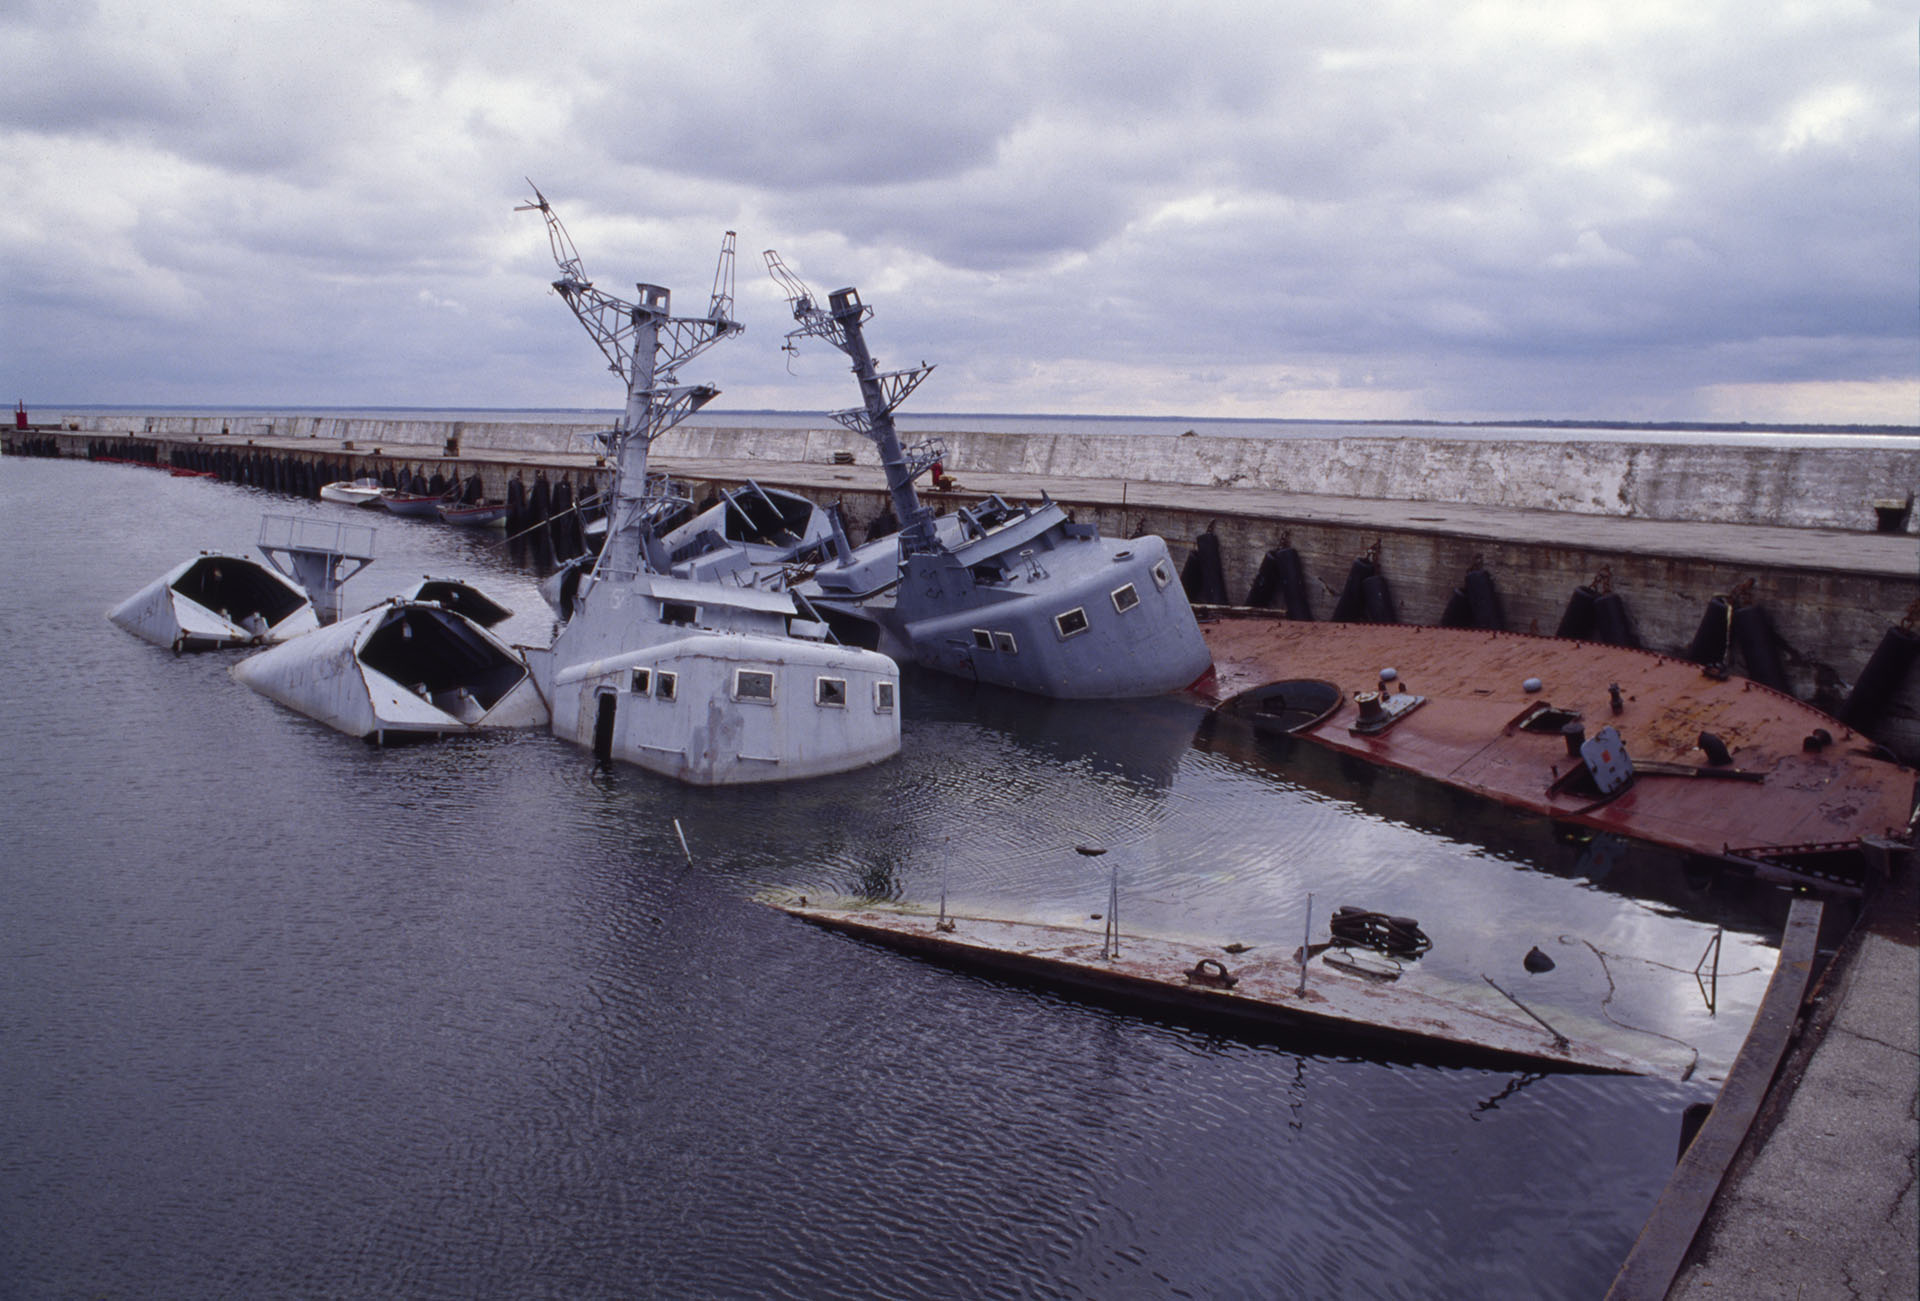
[708, 682]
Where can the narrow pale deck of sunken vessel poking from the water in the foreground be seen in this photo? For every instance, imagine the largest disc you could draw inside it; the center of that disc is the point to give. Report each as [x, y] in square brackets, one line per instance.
[1262, 995]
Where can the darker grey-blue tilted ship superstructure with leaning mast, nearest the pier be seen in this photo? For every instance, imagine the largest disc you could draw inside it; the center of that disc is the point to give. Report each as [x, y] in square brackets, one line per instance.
[1019, 596]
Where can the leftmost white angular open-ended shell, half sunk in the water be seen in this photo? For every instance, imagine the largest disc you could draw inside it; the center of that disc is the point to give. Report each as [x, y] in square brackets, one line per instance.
[216, 602]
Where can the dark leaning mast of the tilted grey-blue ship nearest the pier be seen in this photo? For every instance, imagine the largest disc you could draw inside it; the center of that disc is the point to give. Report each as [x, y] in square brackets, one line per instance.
[840, 323]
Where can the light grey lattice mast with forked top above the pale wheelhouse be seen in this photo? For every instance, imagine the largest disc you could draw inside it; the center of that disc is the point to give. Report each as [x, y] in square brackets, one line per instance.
[646, 346]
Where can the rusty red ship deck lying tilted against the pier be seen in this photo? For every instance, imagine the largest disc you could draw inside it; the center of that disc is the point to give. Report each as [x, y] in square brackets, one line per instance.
[1468, 734]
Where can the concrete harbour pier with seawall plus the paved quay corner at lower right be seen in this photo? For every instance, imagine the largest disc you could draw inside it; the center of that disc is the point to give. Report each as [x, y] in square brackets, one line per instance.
[1817, 1196]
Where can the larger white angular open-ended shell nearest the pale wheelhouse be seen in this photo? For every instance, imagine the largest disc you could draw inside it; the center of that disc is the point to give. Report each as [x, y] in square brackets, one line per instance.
[400, 673]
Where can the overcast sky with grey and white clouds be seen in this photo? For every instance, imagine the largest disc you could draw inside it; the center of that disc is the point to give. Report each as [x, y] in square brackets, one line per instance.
[1268, 208]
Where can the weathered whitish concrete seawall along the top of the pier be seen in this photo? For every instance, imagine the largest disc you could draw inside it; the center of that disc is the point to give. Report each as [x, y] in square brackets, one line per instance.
[1710, 483]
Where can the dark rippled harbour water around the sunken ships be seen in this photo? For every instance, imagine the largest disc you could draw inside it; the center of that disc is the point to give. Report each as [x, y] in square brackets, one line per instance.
[287, 1016]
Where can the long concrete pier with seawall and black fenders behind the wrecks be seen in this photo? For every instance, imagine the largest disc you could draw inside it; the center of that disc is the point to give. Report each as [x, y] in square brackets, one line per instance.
[1819, 538]
